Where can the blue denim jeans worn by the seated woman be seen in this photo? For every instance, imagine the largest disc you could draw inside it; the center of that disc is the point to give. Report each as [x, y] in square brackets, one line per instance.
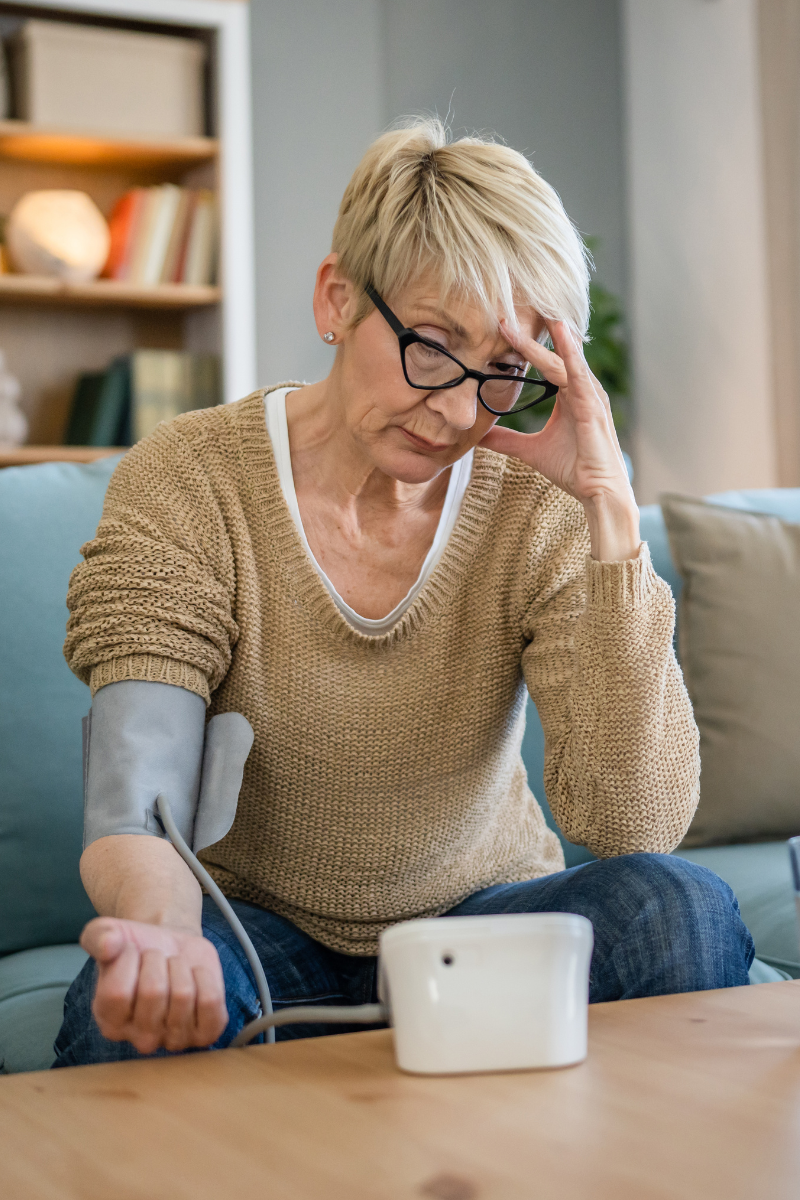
[661, 926]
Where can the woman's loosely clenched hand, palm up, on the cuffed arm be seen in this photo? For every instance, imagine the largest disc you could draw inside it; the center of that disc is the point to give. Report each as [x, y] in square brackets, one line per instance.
[158, 986]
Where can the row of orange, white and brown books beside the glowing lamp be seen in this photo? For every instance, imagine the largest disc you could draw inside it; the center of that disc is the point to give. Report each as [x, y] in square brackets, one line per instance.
[164, 235]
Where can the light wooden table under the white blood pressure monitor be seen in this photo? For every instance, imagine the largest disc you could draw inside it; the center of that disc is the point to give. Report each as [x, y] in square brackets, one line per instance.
[691, 1097]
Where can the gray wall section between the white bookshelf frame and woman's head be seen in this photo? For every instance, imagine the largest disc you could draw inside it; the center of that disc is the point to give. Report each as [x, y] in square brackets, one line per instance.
[318, 101]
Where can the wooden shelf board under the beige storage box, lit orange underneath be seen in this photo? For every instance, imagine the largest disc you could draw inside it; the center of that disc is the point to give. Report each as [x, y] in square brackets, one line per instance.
[27, 143]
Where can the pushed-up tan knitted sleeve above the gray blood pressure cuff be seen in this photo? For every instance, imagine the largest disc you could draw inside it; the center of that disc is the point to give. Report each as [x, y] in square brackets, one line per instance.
[154, 597]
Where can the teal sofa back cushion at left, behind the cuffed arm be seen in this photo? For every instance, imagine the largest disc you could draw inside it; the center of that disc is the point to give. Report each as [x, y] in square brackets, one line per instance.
[46, 515]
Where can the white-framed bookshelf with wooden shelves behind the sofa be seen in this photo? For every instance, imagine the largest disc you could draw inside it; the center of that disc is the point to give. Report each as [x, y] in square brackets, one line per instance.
[52, 332]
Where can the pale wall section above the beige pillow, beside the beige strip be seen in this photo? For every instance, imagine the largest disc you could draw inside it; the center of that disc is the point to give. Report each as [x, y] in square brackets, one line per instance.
[700, 272]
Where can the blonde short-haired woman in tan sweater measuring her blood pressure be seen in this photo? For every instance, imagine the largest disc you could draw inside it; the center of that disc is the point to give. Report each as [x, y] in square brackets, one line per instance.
[371, 571]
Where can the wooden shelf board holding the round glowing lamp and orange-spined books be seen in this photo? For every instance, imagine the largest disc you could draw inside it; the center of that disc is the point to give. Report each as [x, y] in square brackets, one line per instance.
[40, 290]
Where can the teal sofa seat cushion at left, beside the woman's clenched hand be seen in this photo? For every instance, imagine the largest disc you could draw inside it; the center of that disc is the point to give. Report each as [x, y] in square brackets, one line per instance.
[33, 987]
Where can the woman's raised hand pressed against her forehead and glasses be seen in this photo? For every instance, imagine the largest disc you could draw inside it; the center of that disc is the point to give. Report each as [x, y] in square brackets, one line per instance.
[578, 451]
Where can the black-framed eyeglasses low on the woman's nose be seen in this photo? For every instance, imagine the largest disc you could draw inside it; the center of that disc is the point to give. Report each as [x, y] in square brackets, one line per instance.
[428, 367]
